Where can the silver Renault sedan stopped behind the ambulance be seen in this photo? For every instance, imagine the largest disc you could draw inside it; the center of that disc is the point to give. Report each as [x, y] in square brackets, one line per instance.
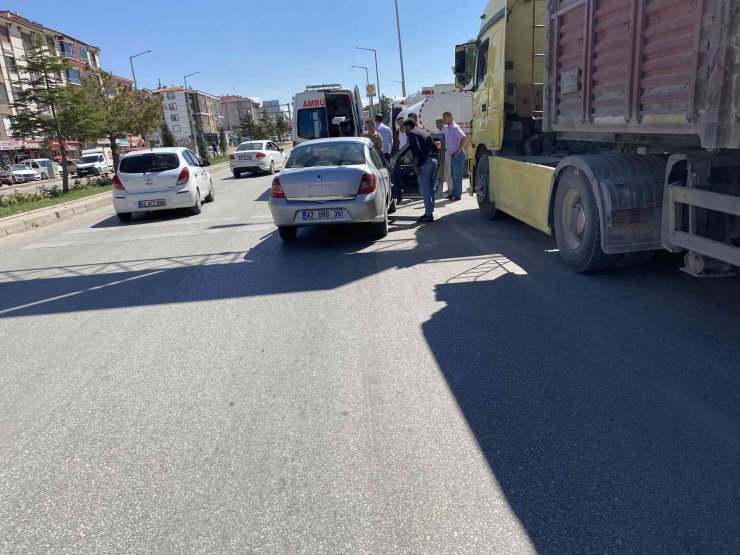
[332, 181]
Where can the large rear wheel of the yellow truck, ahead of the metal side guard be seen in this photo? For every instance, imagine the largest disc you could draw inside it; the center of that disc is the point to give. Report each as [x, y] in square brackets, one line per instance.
[578, 226]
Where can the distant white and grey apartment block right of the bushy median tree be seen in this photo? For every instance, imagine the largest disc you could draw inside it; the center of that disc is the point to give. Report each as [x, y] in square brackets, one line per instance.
[184, 110]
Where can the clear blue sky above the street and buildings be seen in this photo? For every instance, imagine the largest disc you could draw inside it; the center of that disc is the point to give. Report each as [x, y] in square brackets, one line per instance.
[266, 49]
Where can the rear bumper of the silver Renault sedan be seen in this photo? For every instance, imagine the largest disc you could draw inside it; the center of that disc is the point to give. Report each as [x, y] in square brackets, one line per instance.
[362, 209]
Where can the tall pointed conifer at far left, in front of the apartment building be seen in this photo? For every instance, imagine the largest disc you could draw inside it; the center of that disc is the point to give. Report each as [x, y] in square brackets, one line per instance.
[45, 108]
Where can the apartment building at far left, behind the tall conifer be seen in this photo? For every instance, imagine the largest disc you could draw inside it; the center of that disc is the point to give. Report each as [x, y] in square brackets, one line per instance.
[16, 35]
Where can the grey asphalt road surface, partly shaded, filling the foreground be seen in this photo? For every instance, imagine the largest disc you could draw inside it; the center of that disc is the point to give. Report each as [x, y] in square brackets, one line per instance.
[188, 384]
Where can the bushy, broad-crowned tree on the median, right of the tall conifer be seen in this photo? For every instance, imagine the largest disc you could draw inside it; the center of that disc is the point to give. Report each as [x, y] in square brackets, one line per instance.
[120, 109]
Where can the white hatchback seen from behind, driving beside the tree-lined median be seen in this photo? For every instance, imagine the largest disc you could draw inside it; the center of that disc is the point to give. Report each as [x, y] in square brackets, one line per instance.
[161, 179]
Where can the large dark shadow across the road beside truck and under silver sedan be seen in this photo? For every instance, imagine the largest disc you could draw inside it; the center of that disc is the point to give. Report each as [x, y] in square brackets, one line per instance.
[606, 406]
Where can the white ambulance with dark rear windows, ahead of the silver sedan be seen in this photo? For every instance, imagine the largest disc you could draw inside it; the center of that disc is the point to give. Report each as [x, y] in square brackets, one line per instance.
[323, 111]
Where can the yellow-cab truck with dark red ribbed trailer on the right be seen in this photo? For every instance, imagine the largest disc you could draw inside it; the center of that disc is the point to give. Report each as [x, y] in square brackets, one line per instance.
[612, 124]
